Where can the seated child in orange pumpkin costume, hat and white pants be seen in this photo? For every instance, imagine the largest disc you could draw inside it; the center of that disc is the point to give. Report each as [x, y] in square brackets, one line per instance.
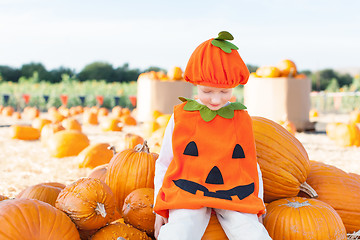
[208, 159]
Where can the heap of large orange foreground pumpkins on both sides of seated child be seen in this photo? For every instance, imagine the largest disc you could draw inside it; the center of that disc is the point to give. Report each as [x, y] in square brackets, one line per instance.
[304, 199]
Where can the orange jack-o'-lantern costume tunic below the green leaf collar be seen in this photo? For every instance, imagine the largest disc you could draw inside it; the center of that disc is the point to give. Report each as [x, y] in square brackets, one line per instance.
[212, 166]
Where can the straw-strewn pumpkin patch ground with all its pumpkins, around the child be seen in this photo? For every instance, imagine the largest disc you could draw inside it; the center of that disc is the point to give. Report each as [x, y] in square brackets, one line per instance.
[58, 159]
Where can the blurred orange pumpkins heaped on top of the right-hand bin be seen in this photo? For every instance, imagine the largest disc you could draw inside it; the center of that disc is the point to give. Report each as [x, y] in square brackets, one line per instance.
[284, 68]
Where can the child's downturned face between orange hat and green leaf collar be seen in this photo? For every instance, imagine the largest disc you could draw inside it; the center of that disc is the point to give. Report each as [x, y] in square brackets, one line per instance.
[214, 98]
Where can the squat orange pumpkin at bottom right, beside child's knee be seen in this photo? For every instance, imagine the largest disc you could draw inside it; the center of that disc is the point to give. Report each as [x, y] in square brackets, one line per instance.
[303, 219]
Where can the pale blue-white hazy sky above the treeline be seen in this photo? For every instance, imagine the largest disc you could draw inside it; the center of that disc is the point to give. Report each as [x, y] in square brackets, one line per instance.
[314, 34]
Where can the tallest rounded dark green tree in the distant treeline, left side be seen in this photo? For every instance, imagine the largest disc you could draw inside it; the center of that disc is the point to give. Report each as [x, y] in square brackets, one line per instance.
[97, 71]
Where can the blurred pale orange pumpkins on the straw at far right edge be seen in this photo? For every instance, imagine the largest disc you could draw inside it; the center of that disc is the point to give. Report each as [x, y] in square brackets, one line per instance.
[345, 134]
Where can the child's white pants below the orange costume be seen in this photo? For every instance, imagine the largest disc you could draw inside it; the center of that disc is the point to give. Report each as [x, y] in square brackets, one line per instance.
[189, 224]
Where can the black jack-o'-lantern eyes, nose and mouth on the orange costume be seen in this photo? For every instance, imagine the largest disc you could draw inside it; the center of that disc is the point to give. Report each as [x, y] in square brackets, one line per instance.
[215, 177]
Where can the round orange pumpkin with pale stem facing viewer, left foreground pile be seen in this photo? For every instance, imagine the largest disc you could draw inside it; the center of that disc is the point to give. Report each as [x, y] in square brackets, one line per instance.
[89, 203]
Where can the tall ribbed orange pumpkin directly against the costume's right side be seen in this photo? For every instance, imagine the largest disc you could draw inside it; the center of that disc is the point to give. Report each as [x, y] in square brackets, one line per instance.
[283, 160]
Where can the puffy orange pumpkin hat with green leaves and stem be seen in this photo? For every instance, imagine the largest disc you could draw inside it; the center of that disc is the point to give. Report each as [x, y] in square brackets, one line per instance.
[217, 63]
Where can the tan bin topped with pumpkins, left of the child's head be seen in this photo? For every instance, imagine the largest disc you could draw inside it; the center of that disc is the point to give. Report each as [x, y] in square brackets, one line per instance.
[159, 95]
